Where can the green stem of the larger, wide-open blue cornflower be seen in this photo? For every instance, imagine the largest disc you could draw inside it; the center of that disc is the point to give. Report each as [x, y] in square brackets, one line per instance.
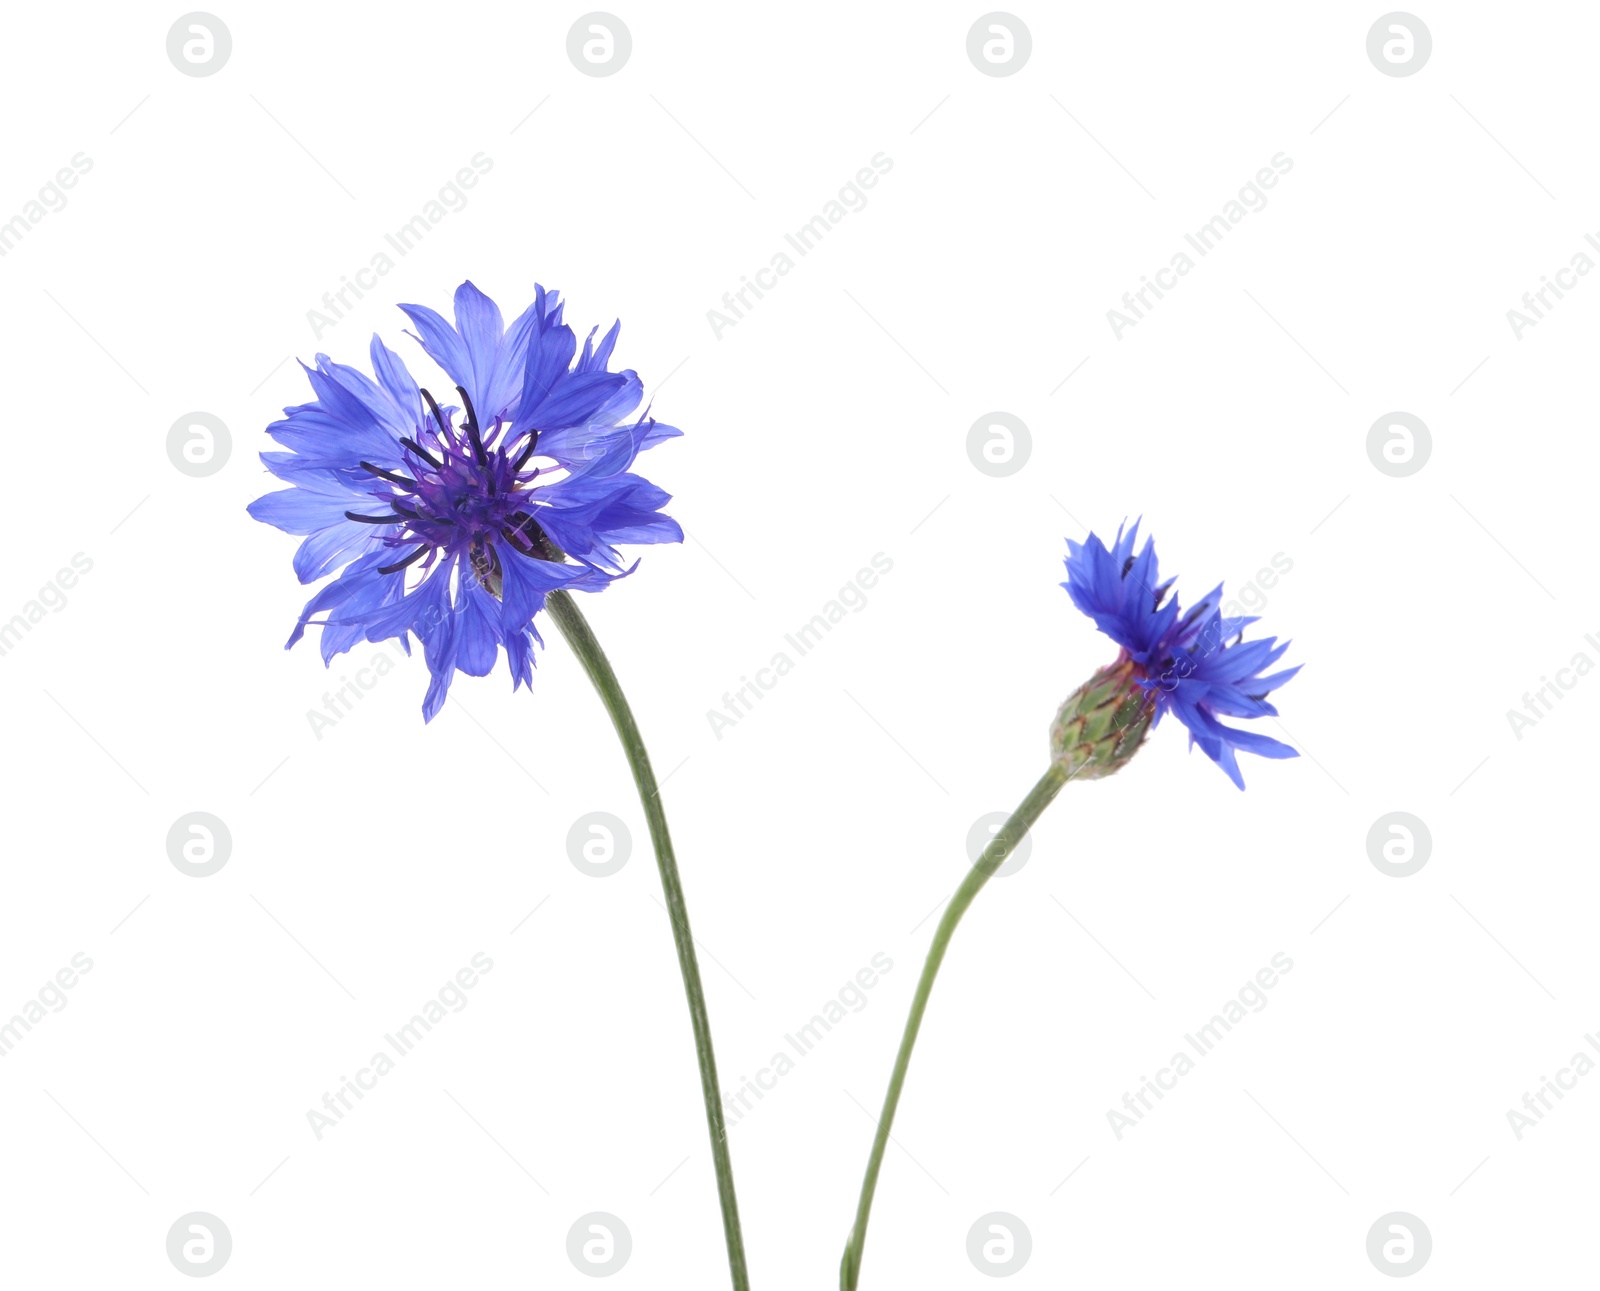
[583, 642]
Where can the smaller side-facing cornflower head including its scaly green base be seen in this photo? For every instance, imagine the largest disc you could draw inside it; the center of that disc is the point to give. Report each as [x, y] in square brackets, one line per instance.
[1193, 665]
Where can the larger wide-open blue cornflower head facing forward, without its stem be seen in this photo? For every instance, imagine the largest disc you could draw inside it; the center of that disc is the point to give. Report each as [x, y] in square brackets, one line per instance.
[454, 524]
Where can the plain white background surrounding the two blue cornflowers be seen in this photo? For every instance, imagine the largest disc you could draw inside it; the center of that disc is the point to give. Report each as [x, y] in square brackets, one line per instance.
[825, 428]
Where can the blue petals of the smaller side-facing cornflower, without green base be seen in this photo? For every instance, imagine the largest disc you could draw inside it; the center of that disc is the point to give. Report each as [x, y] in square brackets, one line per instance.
[1193, 665]
